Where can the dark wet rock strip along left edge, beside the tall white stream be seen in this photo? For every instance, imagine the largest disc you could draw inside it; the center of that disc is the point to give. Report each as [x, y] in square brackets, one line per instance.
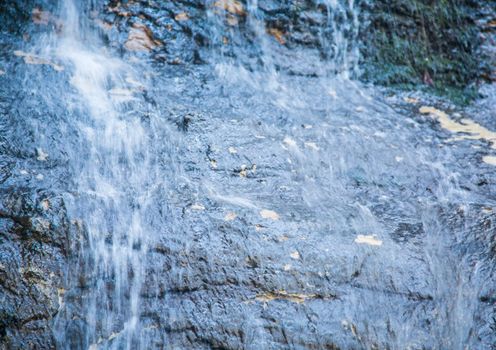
[34, 235]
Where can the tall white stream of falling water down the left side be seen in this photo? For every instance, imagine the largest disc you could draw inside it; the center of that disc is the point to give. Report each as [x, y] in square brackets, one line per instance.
[116, 173]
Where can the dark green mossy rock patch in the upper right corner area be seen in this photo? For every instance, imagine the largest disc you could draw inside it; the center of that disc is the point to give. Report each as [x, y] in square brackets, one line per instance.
[410, 42]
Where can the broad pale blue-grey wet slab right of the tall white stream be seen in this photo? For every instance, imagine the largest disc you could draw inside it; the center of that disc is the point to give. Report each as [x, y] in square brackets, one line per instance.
[301, 278]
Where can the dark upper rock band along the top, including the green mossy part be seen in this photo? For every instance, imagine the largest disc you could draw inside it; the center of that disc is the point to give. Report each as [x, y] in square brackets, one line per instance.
[443, 46]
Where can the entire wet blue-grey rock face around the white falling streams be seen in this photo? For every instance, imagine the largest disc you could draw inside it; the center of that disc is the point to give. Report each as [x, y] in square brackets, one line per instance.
[286, 218]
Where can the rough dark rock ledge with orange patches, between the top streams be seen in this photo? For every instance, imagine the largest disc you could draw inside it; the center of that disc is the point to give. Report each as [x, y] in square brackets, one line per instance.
[191, 29]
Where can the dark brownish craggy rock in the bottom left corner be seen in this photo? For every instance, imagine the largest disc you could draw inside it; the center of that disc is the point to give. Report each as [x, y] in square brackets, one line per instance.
[33, 255]
